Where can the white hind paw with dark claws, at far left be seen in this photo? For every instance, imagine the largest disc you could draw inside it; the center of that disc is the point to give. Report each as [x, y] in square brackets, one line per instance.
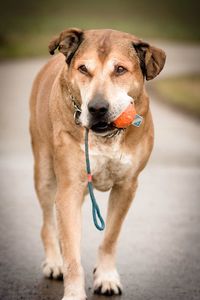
[52, 269]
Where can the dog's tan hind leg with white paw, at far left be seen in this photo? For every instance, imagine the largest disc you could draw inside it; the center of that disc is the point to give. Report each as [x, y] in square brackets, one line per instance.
[45, 184]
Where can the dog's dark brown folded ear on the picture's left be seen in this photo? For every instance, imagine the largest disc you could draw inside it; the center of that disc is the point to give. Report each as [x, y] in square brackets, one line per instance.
[67, 42]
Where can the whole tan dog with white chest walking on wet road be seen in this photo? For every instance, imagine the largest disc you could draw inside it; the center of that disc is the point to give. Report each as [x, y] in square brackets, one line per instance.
[101, 72]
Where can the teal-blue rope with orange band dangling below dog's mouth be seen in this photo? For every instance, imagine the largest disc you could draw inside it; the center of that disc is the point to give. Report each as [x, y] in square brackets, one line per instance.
[97, 218]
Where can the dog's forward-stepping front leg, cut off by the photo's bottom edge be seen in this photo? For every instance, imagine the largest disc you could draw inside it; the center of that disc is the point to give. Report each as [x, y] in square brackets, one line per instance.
[68, 207]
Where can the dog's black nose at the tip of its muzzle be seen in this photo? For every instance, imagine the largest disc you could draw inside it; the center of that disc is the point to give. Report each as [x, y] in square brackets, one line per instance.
[98, 107]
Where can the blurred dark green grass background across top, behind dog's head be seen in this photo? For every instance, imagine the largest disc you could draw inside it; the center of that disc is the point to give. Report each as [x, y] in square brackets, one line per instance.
[26, 27]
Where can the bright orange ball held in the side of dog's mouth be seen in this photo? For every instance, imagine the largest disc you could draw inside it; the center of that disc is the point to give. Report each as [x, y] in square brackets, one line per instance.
[126, 117]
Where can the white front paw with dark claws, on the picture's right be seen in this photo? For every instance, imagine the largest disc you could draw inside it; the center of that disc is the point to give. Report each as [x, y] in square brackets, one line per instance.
[107, 282]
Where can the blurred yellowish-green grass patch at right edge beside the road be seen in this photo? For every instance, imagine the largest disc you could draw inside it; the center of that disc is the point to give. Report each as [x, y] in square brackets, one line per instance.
[182, 92]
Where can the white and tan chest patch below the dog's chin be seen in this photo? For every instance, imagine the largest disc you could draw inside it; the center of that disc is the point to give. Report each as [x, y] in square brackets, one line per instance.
[109, 165]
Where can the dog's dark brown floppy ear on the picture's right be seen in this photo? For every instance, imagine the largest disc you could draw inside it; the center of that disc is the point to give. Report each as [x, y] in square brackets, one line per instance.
[152, 59]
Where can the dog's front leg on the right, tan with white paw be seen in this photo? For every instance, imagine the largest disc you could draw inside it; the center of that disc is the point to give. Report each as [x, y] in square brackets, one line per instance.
[106, 277]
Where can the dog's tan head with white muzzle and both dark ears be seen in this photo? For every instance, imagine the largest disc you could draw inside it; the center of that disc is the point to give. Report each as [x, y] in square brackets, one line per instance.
[107, 69]
